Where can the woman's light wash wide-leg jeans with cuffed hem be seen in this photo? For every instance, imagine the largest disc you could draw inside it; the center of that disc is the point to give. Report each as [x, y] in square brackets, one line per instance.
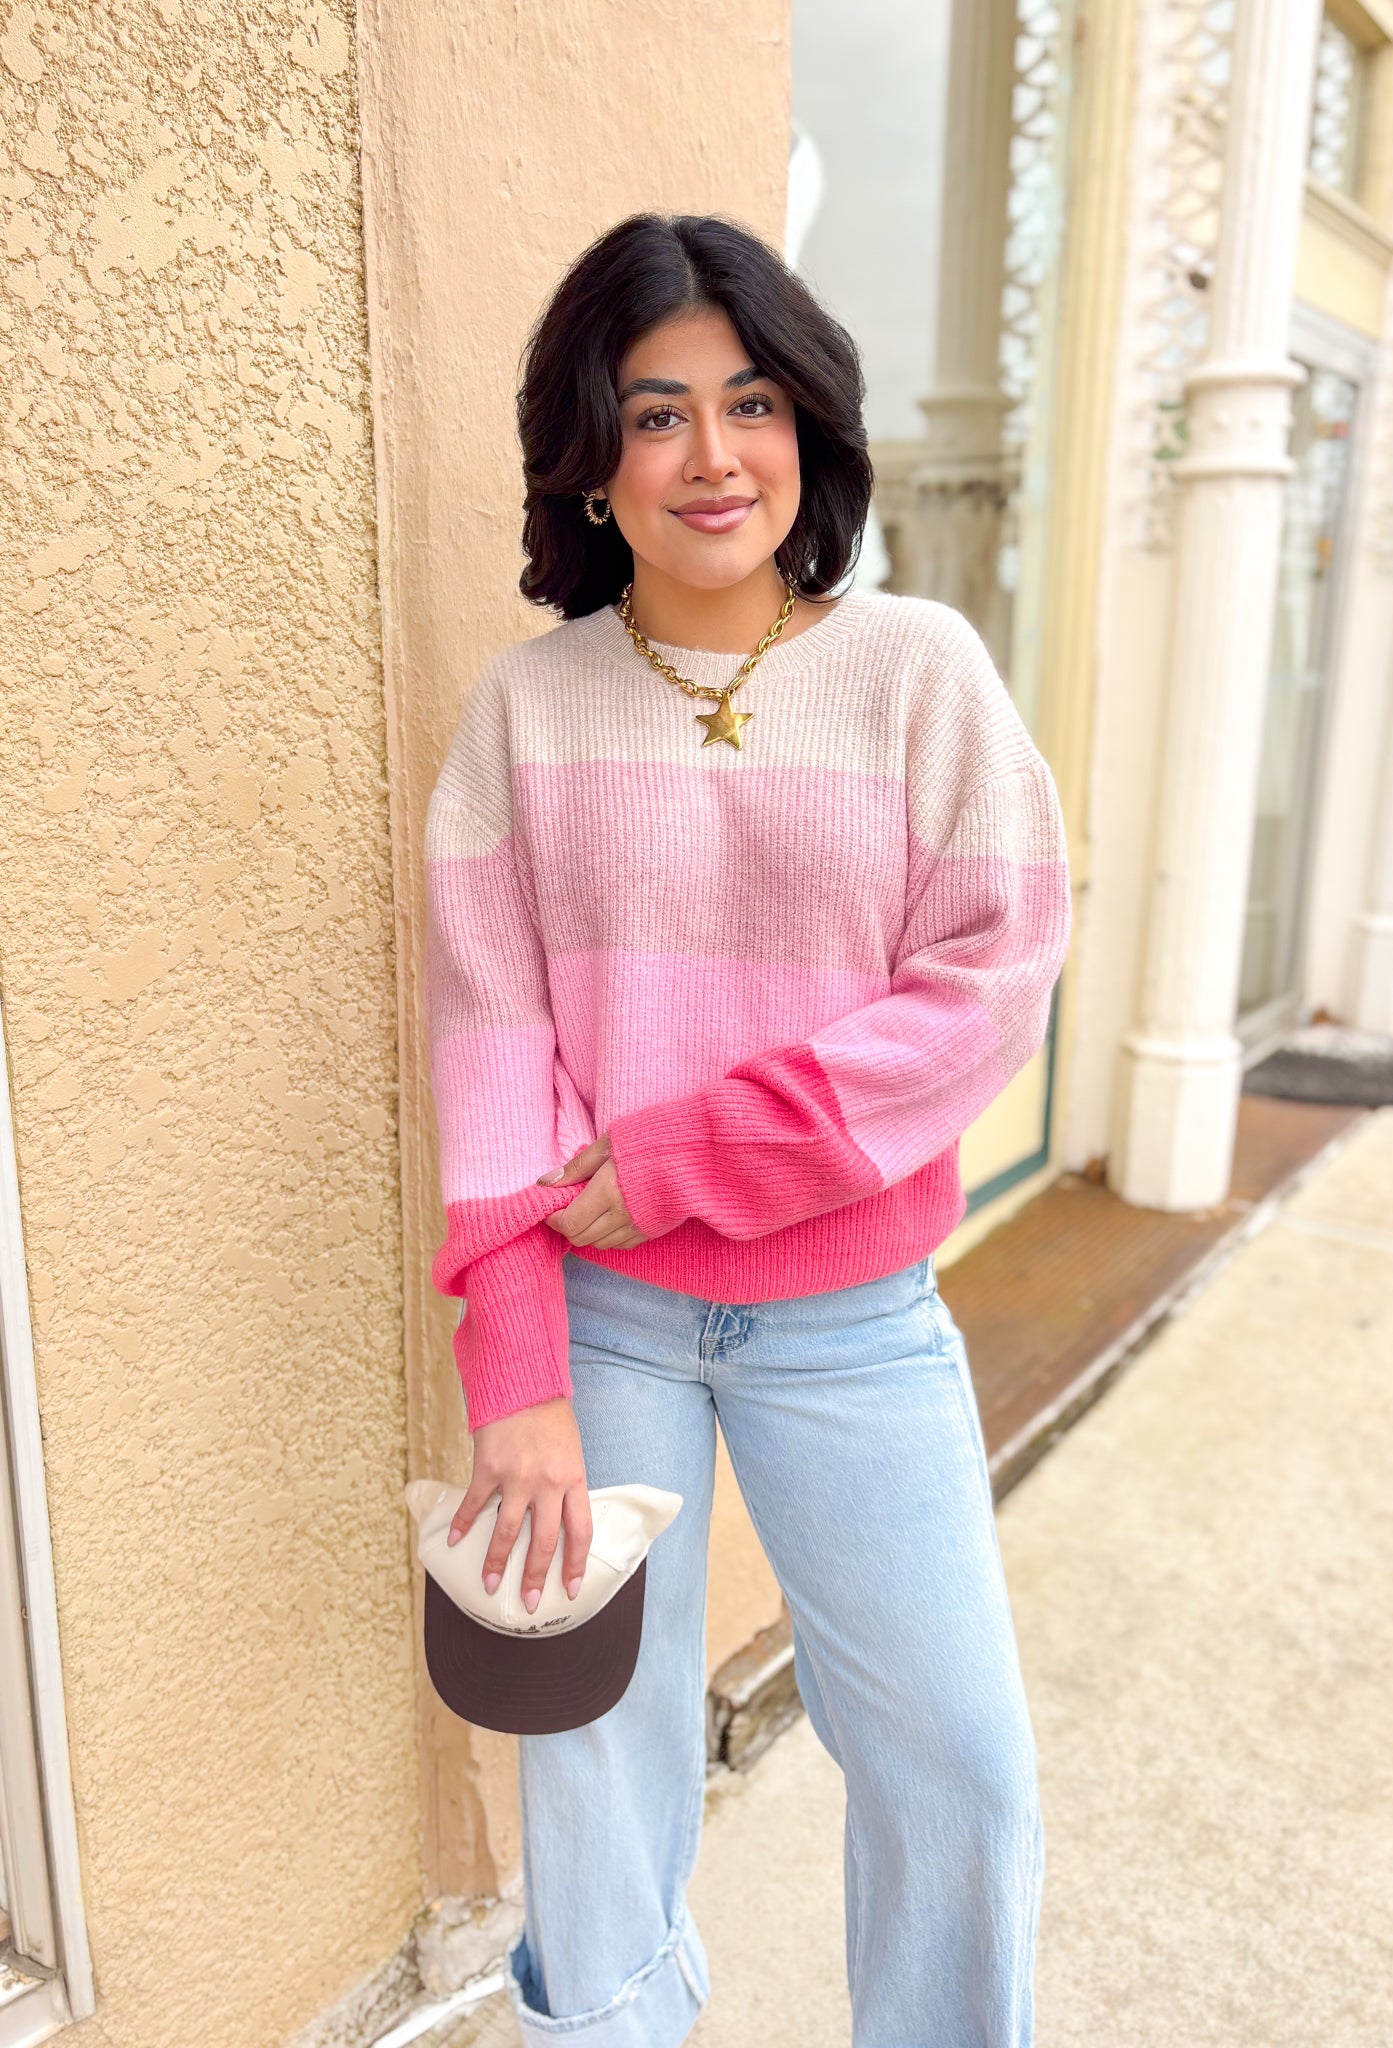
[853, 1433]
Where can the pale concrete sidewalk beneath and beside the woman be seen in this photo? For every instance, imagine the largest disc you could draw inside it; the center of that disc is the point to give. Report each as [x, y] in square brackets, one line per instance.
[1201, 1588]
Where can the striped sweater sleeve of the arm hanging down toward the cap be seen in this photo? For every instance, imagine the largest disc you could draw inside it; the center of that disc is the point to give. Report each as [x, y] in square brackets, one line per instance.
[501, 1105]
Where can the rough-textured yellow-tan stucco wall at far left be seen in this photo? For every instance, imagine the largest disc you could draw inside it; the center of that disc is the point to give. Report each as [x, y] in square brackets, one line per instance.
[198, 974]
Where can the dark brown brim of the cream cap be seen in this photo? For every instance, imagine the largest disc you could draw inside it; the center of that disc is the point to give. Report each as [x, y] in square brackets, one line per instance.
[534, 1684]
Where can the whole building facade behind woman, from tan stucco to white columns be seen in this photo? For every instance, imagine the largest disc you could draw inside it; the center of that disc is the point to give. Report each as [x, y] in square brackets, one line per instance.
[1122, 275]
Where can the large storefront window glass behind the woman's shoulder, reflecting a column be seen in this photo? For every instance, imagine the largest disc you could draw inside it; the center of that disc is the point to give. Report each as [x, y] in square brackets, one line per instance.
[927, 204]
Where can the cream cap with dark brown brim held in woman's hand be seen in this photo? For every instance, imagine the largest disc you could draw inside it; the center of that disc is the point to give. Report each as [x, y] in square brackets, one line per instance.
[536, 1674]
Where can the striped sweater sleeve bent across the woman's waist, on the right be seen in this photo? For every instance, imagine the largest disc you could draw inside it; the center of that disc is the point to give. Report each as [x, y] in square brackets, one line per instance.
[876, 1095]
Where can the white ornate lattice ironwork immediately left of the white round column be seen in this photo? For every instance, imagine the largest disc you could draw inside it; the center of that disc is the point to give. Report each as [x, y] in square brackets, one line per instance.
[1187, 93]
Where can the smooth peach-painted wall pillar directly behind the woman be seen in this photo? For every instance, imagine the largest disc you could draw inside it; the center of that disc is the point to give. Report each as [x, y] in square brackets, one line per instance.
[499, 140]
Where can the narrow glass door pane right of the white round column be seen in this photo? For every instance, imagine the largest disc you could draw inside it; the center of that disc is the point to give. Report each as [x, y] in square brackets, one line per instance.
[1304, 650]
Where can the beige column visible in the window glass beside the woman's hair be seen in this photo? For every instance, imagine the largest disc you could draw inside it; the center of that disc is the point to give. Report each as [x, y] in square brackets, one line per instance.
[958, 490]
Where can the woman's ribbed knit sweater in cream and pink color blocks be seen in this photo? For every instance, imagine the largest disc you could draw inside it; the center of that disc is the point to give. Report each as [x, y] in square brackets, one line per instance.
[782, 978]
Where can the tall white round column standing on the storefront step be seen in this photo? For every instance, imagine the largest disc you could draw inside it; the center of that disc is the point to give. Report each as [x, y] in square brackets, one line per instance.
[1183, 1064]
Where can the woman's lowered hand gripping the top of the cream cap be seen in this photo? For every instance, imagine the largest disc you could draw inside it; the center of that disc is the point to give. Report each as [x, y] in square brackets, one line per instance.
[536, 1461]
